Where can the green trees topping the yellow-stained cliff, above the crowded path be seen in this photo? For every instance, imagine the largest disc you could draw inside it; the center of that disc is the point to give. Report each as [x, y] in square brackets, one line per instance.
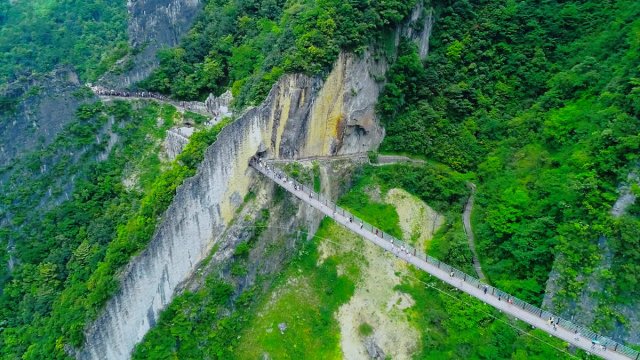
[248, 45]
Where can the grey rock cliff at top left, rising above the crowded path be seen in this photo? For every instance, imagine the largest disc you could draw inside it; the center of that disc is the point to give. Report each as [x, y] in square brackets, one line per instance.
[153, 24]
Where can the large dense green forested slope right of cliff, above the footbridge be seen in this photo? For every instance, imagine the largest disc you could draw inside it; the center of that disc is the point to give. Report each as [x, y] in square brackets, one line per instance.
[541, 100]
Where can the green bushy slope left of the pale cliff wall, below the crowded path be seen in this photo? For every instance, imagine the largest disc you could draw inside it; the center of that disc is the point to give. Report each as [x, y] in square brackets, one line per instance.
[68, 253]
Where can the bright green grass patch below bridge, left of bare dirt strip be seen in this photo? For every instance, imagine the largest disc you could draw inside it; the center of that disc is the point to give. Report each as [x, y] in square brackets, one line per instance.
[305, 300]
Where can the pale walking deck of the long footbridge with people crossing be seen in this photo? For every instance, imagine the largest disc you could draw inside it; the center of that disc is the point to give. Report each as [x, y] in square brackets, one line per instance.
[576, 335]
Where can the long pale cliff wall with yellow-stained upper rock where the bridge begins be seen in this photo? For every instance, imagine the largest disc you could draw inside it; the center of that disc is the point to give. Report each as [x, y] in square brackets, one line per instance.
[302, 116]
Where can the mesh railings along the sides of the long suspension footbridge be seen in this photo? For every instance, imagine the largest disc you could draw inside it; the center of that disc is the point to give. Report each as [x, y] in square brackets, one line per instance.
[454, 272]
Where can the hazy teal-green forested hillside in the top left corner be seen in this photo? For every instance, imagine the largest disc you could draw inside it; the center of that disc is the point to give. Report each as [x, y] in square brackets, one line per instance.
[38, 35]
